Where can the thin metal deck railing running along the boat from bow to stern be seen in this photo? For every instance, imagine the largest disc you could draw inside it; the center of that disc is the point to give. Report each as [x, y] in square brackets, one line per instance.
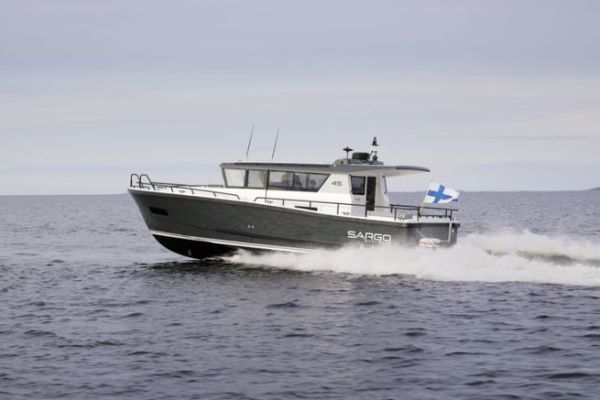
[143, 181]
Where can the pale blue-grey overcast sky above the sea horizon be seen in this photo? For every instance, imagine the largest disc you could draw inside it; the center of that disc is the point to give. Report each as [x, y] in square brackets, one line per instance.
[490, 95]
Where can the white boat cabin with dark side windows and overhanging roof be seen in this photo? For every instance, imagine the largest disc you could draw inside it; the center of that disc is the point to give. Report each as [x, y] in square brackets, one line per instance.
[352, 186]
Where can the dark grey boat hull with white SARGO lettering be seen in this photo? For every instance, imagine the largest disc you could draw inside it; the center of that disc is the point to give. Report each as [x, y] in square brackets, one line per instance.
[201, 227]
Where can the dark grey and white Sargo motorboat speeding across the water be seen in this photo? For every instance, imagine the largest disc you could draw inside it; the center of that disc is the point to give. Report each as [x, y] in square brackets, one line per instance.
[291, 207]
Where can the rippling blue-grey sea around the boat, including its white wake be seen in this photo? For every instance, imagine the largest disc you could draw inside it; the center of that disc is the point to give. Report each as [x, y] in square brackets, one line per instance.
[92, 307]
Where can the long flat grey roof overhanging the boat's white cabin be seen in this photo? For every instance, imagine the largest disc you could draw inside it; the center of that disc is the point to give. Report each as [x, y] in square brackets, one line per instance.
[354, 169]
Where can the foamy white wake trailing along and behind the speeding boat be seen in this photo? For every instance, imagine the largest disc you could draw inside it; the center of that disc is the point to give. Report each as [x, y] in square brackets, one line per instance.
[499, 257]
